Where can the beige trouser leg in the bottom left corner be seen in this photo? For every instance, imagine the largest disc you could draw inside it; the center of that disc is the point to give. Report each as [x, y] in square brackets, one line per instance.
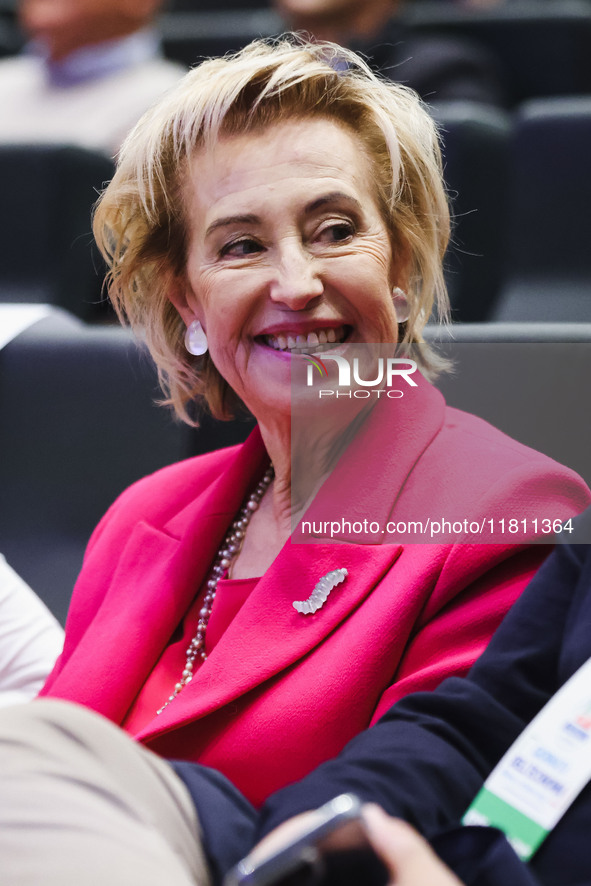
[82, 804]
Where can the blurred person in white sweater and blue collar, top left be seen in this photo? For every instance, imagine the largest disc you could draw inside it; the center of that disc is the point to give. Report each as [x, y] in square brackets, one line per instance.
[90, 70]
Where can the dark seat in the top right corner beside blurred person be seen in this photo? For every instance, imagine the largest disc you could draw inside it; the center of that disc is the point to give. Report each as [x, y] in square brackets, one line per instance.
[543, 46]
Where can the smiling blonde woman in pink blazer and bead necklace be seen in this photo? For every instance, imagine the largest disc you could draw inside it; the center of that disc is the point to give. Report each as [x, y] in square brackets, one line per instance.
[268, 209]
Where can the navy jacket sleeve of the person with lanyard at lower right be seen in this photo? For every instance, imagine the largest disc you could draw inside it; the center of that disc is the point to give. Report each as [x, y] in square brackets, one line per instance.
[426, 759]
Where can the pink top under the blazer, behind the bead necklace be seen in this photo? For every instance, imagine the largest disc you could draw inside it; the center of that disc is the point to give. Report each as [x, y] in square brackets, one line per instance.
[231, 595]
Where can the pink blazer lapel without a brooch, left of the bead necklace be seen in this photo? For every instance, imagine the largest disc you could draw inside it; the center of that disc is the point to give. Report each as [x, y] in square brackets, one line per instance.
[160, 570]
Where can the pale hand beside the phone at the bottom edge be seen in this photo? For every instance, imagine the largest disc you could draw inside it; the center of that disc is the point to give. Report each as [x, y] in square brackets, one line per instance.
[408, 857]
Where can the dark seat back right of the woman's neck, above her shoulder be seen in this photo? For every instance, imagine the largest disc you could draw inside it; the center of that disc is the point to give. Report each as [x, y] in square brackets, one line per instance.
[528, 379]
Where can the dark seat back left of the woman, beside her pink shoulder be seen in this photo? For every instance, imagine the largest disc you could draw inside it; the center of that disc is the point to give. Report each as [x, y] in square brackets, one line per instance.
[79, 424]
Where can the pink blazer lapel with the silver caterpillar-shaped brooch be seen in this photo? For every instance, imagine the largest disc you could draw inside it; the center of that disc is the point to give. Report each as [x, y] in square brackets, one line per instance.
[268, 634]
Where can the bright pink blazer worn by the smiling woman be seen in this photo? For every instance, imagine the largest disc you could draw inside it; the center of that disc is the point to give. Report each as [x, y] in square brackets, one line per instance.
[282, 692]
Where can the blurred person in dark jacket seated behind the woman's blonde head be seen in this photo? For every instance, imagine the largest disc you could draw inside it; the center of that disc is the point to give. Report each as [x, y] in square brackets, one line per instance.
[438, 67]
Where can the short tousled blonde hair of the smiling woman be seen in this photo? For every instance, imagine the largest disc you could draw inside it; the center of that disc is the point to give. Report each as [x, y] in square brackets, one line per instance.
[140, 223]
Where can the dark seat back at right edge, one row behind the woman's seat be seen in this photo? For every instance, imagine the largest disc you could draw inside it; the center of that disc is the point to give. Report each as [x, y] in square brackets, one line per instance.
[548, 262]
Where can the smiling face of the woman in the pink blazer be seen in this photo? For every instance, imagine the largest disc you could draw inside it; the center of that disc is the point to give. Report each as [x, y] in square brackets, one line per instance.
[288, 254]
